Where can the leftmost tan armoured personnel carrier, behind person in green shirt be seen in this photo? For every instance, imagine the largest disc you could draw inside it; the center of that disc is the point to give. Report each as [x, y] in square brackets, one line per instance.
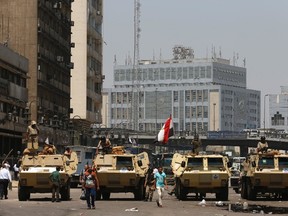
[35, 170]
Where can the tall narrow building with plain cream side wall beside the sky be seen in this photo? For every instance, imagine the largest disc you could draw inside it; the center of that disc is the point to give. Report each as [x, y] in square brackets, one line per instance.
[87, 75]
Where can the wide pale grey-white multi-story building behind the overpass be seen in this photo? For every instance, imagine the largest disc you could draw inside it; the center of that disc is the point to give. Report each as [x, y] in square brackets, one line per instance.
[201, 95]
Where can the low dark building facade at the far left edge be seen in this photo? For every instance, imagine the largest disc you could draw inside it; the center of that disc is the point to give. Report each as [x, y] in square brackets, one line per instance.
[13, 97]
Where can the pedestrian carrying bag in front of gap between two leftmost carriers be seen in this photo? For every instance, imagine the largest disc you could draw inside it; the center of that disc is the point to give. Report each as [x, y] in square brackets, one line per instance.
[90, 185]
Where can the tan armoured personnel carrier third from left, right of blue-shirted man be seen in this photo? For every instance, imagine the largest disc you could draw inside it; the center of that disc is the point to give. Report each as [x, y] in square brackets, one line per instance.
[201, 174]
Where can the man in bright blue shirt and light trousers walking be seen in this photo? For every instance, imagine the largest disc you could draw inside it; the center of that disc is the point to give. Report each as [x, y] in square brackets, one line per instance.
[160, 184]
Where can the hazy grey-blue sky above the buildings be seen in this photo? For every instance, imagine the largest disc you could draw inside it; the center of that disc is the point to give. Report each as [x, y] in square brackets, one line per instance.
[255, 29]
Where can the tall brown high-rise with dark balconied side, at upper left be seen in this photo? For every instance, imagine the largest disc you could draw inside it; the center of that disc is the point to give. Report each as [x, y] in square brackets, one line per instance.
[40, 30]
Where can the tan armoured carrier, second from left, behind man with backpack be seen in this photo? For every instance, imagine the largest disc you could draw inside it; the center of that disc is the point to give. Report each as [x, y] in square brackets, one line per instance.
[121, 172]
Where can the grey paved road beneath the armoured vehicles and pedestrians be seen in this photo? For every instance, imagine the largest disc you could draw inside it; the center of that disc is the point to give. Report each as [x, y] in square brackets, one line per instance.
[40, 204]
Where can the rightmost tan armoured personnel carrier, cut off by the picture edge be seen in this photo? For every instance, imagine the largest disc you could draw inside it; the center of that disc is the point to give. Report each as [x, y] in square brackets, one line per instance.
[266, 173]
